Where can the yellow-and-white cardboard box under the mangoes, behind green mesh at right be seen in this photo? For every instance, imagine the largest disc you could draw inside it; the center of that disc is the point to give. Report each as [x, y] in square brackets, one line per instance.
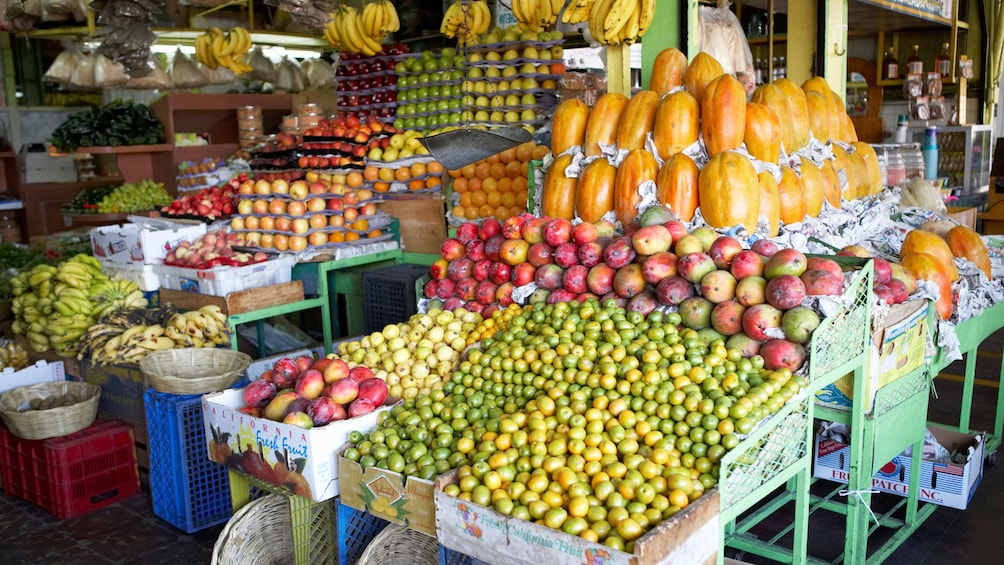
[897, 349]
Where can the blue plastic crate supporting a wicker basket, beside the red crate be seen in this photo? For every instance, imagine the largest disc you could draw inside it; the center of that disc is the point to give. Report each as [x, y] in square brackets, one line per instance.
[189, 491]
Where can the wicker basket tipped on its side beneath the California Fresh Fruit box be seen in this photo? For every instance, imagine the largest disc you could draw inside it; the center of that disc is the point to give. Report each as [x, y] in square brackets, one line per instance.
[261, 533]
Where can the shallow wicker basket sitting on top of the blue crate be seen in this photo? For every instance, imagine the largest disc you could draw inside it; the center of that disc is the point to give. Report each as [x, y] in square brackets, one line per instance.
[194, 371]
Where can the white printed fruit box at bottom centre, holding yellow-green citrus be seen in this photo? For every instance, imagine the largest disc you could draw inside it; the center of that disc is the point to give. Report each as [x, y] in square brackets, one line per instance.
[690, 537]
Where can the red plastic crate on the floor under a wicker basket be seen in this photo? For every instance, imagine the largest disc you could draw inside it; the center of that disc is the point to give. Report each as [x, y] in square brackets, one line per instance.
[72, 475]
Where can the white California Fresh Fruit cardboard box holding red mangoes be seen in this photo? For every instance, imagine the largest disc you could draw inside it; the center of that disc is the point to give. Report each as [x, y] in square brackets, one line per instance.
[304, 461]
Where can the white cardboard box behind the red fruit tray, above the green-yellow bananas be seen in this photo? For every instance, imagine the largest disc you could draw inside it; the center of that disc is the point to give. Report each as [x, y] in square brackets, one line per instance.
[129, 243]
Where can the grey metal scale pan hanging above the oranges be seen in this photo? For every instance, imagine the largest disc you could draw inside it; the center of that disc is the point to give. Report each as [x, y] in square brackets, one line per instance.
[459, 148]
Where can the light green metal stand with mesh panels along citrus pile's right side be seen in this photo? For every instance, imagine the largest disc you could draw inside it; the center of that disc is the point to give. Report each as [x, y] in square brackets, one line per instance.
[780, 452]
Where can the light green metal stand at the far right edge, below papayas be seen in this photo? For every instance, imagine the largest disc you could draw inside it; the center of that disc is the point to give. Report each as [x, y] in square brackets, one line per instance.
[972, 334]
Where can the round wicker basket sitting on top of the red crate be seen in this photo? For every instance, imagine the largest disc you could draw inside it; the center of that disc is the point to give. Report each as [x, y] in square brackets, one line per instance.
[54, 423]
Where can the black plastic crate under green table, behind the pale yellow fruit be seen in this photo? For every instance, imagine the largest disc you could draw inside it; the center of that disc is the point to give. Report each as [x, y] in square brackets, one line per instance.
[389, 296]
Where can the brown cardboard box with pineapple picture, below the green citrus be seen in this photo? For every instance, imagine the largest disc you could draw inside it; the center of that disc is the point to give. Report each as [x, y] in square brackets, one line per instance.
[388, 495]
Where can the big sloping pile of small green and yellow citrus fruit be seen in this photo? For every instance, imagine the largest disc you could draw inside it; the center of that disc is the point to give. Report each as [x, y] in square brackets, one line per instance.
[583, 417]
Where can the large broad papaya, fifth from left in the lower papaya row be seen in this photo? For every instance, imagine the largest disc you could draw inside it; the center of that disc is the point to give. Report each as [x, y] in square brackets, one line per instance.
[729, 192]
